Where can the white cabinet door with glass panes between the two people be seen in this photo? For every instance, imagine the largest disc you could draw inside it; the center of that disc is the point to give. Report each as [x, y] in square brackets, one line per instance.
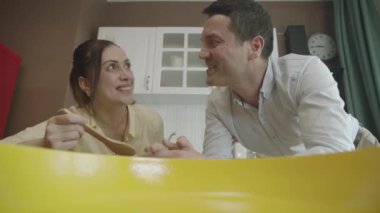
[178, 69]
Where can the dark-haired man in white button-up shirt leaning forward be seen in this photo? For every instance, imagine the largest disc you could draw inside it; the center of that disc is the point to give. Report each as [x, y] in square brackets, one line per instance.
[272, 106]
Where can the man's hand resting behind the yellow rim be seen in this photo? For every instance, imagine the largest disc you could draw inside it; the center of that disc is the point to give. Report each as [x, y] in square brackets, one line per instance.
[181, 149]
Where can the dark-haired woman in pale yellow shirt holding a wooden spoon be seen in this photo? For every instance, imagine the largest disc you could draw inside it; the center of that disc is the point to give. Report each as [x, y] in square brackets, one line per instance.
[102, 84]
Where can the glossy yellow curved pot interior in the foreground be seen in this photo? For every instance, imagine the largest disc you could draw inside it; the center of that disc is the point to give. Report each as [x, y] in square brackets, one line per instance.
[44, 180]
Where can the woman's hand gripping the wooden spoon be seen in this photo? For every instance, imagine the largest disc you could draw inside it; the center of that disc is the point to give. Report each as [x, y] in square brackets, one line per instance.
[63, 130]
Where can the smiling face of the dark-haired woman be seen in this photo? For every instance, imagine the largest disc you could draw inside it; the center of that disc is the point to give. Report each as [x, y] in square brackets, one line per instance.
[116, 81]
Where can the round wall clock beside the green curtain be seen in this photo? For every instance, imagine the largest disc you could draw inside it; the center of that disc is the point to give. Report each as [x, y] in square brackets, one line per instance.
[322, 46]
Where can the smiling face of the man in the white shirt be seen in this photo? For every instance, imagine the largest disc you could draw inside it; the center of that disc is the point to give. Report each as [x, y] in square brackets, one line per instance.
[224, 55]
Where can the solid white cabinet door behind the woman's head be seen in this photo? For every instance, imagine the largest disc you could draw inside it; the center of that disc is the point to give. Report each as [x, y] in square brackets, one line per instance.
[139, 45]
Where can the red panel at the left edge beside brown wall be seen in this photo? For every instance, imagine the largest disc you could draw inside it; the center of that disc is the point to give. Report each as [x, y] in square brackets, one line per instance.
[9, 67]
